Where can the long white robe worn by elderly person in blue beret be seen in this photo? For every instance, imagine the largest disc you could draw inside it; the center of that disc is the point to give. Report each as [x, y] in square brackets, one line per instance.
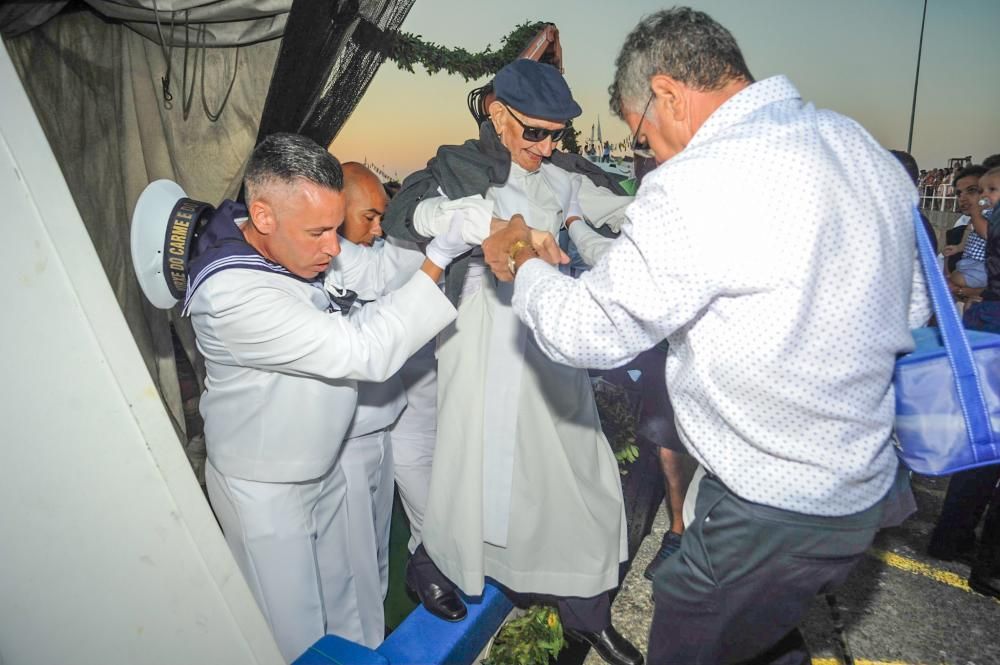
[525, 488]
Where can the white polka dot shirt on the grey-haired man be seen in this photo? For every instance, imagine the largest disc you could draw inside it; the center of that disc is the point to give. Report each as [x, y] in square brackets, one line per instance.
[776, 254]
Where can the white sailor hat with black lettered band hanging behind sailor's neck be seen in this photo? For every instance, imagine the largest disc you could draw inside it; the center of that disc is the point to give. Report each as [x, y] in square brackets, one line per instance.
[164, 226]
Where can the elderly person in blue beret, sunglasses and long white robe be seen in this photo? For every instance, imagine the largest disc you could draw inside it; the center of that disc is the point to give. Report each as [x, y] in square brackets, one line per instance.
[525, 488]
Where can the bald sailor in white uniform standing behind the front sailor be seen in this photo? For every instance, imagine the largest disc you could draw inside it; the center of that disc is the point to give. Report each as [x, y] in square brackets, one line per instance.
[367, 459]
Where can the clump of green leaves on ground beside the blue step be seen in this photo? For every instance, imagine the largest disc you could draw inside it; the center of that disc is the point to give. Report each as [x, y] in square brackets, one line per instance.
[531, 639]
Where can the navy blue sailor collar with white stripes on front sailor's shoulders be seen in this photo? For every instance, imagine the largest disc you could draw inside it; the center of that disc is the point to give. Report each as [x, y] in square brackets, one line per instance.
[221, 246]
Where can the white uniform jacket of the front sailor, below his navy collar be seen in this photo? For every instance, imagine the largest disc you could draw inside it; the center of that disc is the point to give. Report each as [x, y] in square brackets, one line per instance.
[283, 368]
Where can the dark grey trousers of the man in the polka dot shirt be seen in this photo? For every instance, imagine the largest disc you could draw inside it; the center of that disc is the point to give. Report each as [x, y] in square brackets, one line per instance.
[744, 578]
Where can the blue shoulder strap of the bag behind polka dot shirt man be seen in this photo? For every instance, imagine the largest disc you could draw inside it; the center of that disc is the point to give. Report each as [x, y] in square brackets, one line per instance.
[970, 393]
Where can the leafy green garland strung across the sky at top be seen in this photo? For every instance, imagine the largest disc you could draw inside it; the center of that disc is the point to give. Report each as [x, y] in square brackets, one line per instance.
[407, 50]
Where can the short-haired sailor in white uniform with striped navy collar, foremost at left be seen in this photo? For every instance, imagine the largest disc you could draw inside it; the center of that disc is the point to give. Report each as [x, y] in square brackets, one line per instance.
[282, 370]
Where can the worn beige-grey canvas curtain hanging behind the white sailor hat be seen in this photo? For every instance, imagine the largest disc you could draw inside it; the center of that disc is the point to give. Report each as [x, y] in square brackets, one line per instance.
[95, 88]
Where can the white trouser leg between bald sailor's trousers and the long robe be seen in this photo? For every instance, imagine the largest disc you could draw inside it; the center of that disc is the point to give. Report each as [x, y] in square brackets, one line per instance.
[413, 437]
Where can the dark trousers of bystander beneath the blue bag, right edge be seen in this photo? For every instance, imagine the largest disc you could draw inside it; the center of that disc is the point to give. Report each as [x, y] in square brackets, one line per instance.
[968, 494]
